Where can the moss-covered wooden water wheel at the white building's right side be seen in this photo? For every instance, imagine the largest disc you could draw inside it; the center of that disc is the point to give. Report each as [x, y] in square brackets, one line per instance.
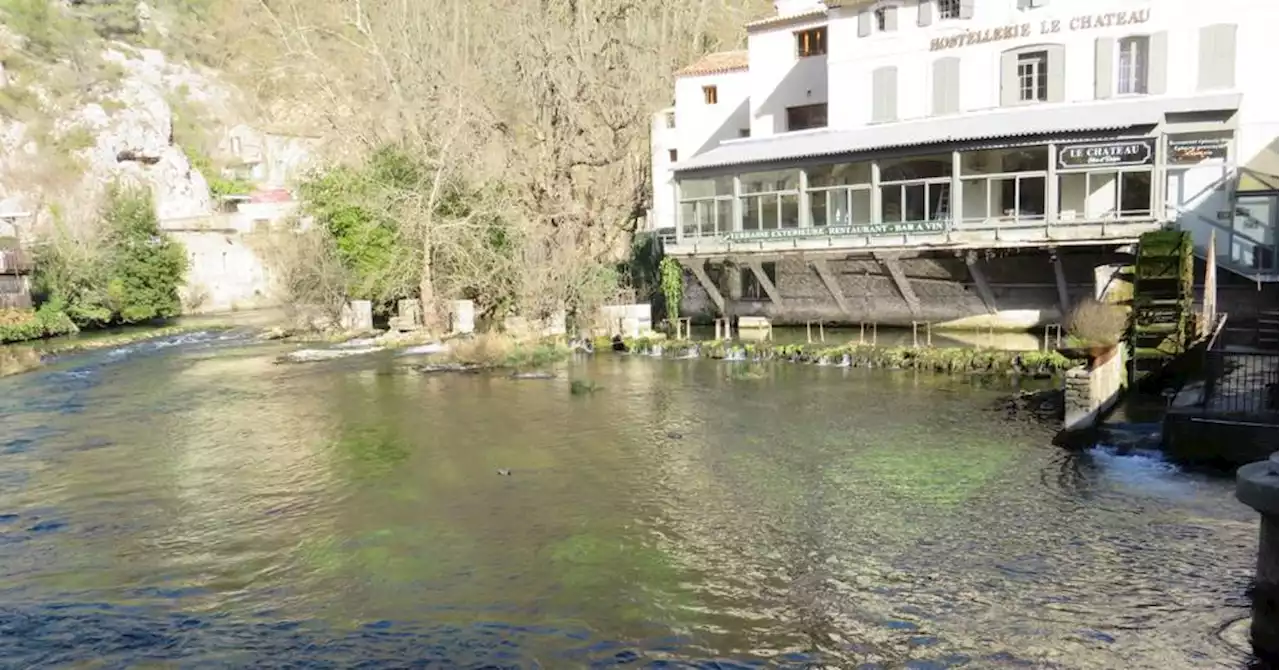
[1164, 320]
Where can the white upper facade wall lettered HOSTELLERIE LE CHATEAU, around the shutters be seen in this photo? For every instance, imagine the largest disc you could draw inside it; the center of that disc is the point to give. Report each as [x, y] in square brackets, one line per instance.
[779, 79]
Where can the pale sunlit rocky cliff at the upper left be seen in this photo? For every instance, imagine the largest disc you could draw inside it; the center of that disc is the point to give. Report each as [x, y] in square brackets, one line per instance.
[60, 151]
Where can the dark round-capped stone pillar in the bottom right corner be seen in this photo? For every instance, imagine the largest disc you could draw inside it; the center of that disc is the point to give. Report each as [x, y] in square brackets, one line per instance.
[1259, 486]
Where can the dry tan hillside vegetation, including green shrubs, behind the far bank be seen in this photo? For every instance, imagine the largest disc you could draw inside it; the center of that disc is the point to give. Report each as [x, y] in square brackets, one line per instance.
[496, 152]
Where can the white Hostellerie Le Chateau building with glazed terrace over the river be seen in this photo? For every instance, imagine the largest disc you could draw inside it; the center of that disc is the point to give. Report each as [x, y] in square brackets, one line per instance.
[977, 125]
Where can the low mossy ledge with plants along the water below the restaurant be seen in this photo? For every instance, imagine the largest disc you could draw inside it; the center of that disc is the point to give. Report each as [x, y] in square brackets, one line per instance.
[950, 361]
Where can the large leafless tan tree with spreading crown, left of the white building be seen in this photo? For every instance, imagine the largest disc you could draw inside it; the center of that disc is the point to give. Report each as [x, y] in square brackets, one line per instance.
[541, 106]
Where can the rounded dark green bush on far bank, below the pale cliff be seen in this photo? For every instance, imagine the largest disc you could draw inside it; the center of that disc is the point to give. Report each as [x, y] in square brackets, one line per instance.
[131, 275]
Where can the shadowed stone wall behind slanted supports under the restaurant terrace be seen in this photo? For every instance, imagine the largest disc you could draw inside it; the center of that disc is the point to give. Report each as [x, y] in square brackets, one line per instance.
[1023, 290]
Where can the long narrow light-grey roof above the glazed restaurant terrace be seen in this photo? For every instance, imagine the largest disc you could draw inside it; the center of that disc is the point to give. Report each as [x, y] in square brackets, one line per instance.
[1020, 122]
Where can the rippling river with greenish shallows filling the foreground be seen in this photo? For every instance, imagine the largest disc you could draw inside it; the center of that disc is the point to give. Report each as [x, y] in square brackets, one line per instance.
[191, 502]
